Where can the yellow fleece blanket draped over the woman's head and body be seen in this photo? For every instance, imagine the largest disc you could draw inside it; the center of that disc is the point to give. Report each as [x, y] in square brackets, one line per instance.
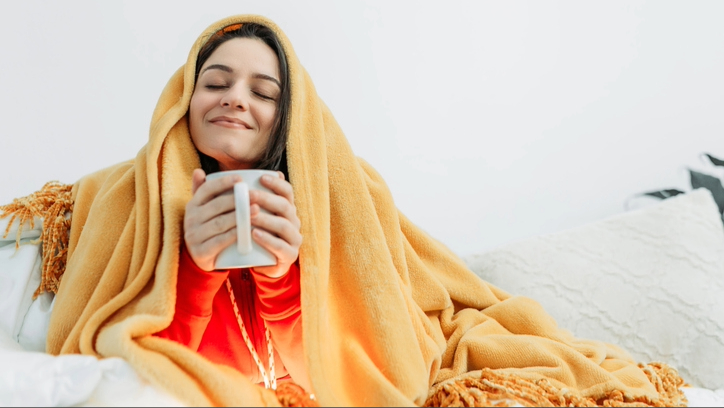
[390, 316]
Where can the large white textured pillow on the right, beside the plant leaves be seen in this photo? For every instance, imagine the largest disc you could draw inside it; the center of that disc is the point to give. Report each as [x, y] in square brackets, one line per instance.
[650, 281]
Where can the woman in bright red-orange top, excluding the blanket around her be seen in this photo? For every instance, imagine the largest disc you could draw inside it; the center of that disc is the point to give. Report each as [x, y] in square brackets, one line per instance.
[237, 120]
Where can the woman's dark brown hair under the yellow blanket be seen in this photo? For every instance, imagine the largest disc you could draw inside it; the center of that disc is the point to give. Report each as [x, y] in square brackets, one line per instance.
[275, 157]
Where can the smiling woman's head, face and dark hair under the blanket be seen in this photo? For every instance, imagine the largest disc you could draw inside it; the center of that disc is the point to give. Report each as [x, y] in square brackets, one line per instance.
[242, 85]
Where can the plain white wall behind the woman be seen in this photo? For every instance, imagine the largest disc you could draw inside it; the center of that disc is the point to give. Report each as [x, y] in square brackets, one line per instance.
[491, 121]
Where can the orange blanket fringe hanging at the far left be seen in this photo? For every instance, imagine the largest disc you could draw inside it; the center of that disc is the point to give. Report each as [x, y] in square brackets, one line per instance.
[54, 204]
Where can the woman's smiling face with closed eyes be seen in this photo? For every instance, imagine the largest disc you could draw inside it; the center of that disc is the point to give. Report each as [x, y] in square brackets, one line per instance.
[235, 102]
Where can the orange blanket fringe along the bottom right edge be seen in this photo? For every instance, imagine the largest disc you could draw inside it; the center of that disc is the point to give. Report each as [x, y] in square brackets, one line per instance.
[493, 389]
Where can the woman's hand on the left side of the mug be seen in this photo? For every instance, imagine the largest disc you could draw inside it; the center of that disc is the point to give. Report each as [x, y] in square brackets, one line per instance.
[210, 221]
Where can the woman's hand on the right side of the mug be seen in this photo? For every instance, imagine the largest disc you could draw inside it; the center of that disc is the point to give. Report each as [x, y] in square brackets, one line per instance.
[279, 231]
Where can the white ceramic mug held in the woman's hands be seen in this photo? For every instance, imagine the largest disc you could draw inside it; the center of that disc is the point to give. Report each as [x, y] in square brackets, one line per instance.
[245, 253]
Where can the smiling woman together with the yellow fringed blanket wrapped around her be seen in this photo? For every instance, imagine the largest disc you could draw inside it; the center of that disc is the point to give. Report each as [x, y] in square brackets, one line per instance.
[366, 310]
